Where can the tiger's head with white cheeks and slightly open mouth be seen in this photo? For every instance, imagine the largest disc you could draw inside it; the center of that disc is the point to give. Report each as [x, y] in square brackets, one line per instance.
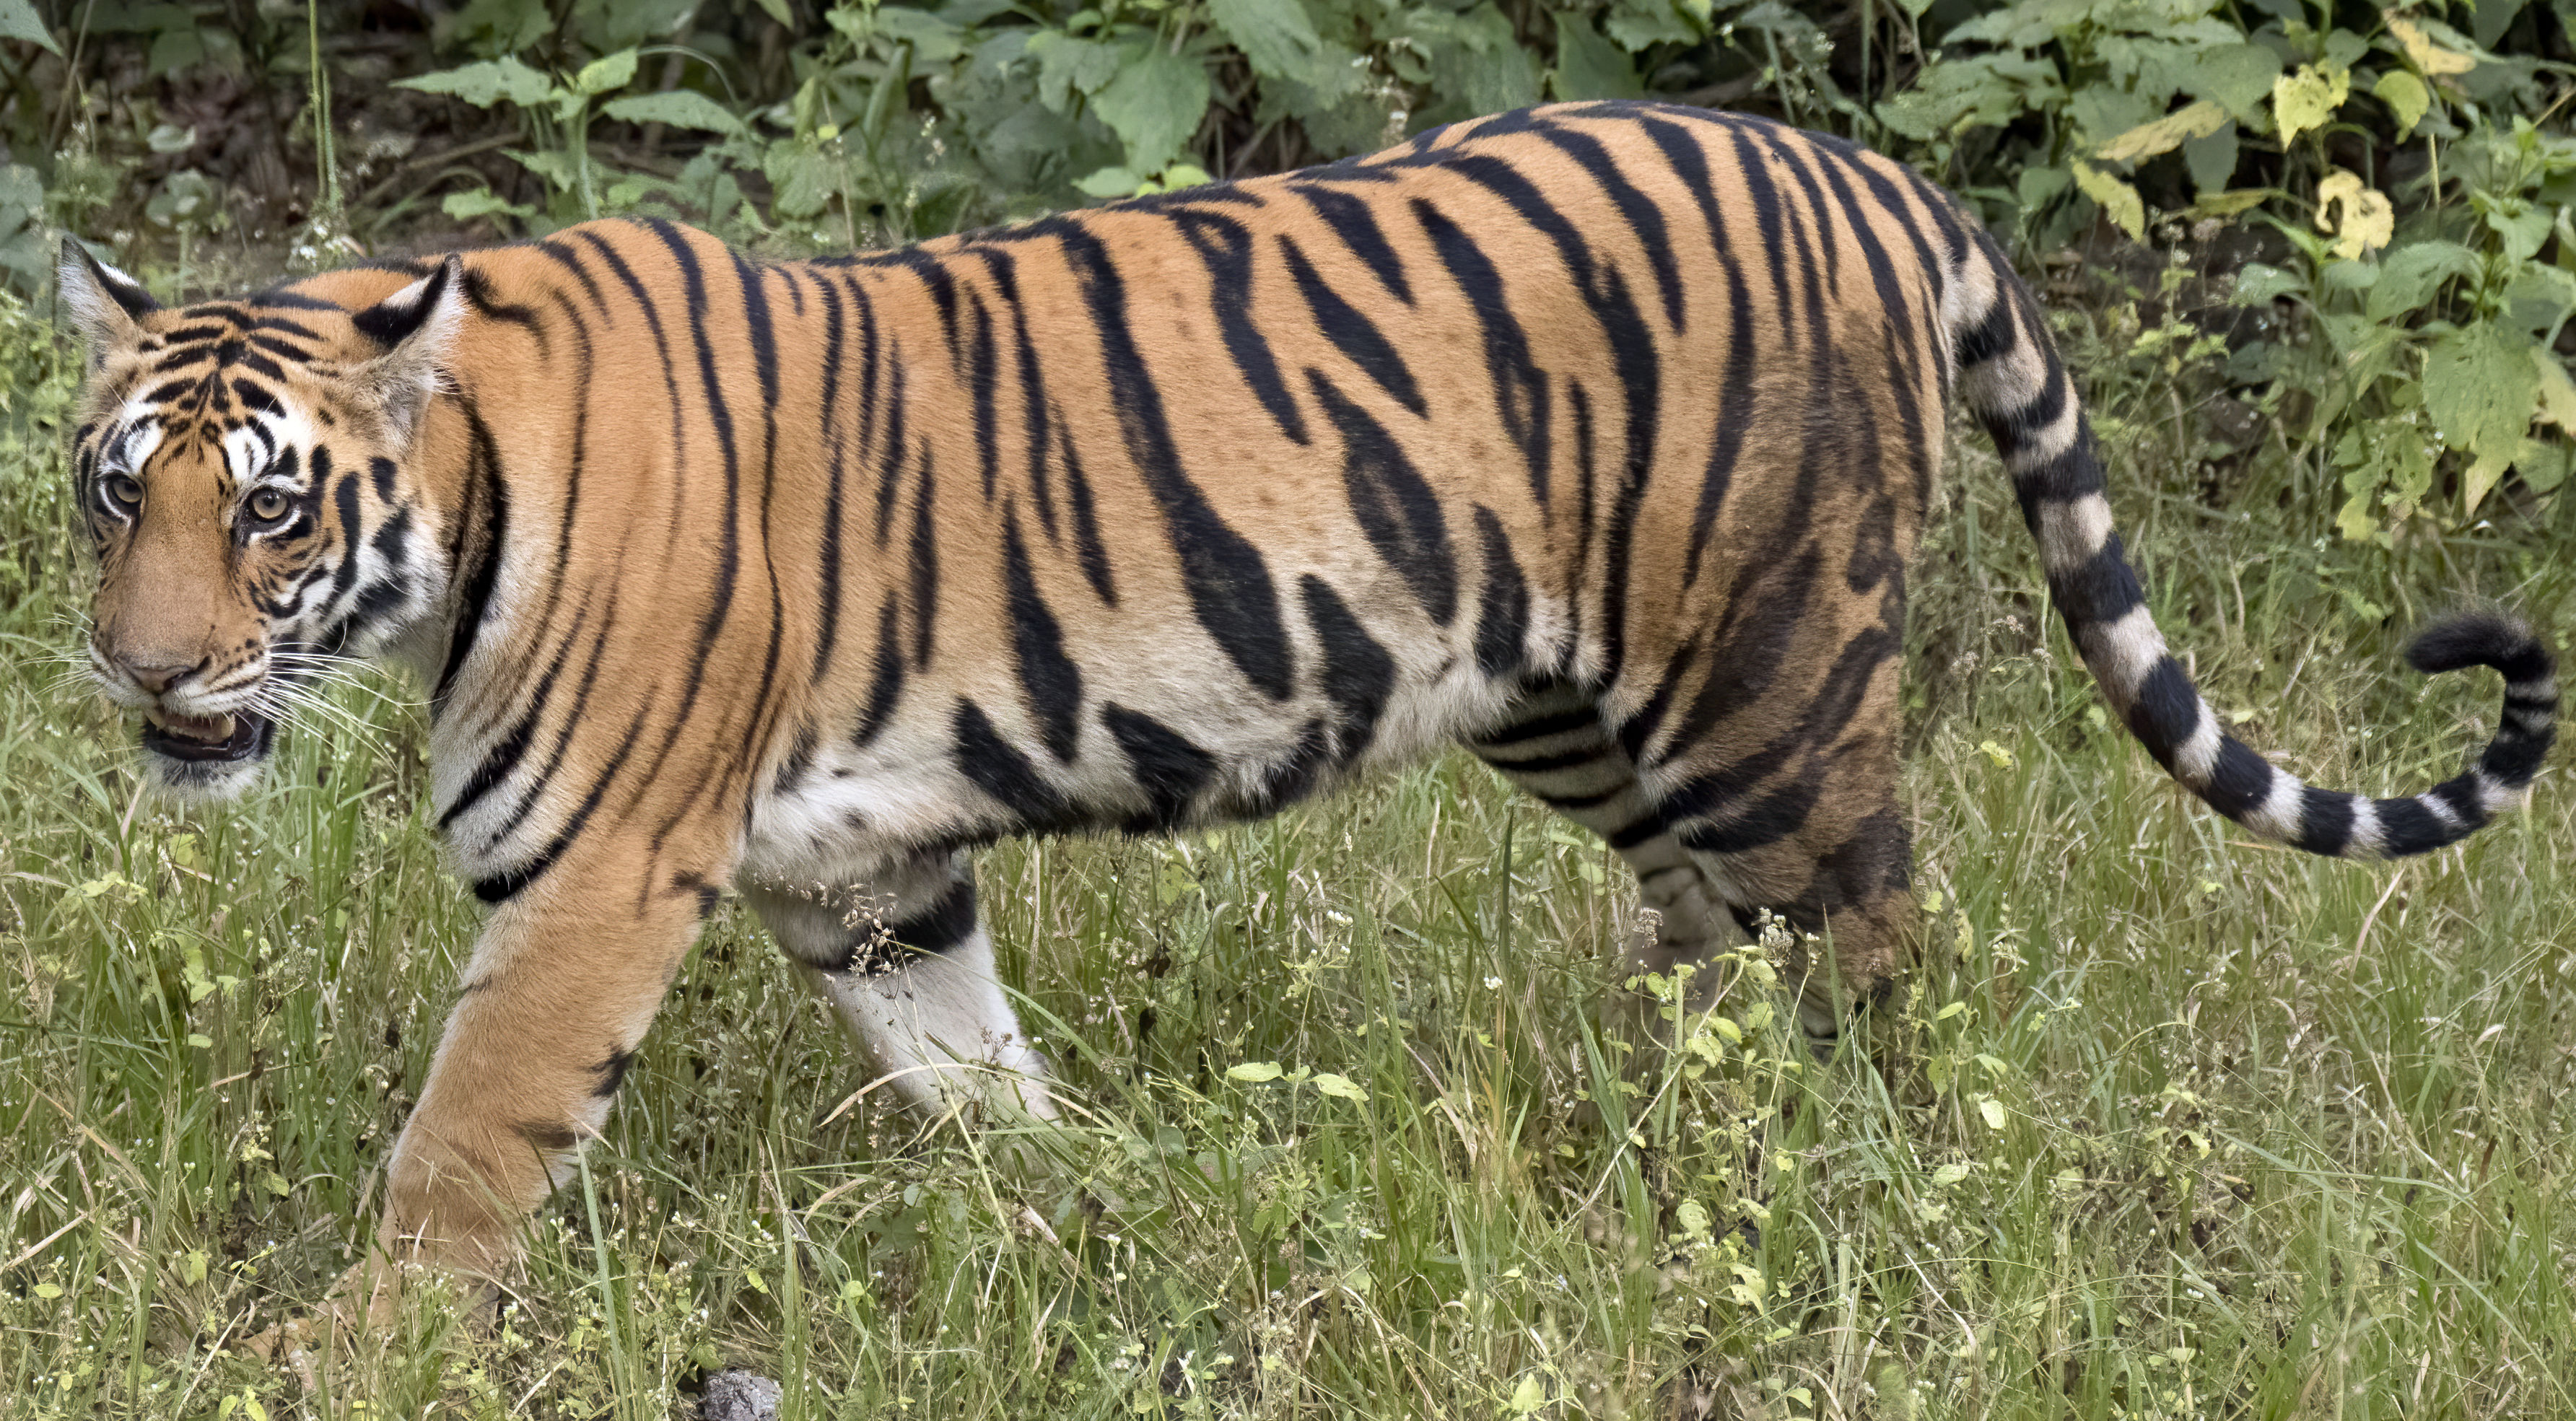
[249, 472]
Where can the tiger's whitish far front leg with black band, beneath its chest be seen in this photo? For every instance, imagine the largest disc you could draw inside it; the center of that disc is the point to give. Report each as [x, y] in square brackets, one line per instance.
[905, 961]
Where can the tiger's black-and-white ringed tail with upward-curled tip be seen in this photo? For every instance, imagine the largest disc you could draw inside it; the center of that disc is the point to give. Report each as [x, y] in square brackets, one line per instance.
[2016, 385]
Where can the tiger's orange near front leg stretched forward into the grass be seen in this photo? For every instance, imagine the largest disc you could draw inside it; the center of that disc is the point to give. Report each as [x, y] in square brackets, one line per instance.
[550, 1010]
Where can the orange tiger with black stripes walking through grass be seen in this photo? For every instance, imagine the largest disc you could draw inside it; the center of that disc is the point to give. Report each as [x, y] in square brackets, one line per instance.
[1591, 436]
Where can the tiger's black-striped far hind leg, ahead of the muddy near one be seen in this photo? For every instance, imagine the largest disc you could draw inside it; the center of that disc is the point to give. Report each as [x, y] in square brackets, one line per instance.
[1557, 748]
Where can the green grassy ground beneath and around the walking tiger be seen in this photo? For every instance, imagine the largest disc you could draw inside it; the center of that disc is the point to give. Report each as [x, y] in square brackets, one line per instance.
[2178, 1129]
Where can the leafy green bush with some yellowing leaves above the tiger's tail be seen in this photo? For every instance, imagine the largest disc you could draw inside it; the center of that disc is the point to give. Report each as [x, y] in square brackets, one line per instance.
[2425, 223]
